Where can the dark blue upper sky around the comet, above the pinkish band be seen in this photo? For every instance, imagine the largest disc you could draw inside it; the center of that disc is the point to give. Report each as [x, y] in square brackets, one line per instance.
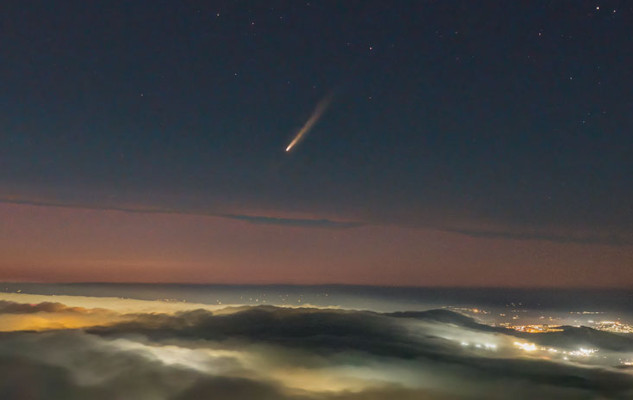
[490, 118]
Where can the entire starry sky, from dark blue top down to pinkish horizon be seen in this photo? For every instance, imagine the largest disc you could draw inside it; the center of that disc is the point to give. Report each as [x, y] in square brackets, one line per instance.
[452, 143]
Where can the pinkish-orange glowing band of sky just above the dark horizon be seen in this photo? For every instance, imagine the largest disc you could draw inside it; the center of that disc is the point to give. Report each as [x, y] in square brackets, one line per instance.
[53, 244]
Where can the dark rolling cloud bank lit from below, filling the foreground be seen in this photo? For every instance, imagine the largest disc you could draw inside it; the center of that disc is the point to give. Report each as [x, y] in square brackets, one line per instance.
[300, 354]
